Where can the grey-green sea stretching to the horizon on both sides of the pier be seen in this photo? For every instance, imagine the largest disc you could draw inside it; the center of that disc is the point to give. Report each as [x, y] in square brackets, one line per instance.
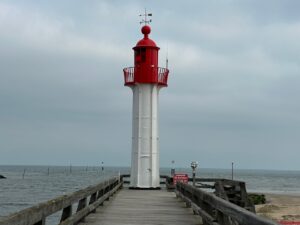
[26, 186]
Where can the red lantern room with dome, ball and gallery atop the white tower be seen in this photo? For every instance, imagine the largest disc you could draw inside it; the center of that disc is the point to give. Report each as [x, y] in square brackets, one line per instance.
[146, 68]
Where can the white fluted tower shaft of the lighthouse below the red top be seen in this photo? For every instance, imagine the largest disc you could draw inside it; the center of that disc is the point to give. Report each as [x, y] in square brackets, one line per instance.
[145, 149]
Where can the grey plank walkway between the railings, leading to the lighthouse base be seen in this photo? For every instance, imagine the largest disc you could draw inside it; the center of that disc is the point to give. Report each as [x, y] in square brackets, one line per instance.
[146, 207]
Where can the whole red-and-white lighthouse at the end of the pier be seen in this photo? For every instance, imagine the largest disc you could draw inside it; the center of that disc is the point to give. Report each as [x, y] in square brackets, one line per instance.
[145, 79]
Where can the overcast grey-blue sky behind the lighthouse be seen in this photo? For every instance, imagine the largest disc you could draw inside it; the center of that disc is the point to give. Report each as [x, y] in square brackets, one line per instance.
[233, 91]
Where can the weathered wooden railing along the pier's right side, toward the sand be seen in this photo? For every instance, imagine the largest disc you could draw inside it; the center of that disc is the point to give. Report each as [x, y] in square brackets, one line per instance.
[215, 210]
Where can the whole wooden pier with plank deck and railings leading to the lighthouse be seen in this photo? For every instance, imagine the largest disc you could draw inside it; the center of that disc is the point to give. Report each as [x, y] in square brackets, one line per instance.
[111, 202]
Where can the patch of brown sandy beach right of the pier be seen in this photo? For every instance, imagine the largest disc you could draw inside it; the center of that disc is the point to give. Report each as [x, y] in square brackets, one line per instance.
[280, 207]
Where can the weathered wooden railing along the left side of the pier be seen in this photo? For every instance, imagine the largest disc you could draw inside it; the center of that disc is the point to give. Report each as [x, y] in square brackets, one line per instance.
[87, 200]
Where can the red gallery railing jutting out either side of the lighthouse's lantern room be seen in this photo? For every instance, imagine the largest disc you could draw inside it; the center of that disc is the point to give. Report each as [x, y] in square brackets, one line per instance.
[162, 76]
